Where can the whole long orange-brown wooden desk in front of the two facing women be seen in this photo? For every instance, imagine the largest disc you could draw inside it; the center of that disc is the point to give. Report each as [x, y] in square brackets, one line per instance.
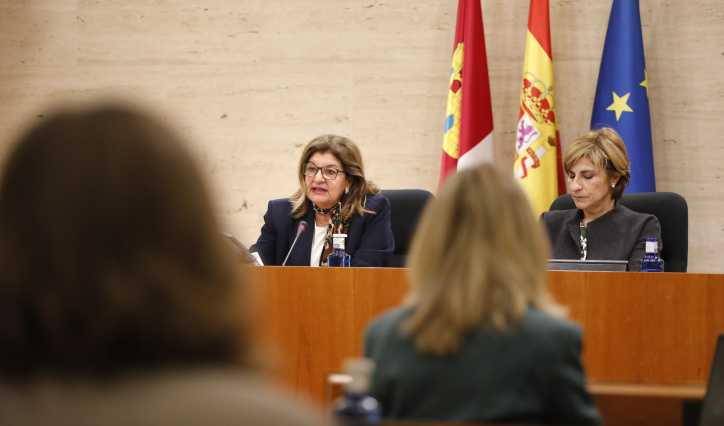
[646, 335]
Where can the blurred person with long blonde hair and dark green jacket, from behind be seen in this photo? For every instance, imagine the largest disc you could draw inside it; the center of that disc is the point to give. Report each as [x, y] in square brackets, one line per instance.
[479, 338]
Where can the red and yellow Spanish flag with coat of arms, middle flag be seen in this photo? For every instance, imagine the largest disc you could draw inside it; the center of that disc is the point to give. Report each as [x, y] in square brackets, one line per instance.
[537, 146]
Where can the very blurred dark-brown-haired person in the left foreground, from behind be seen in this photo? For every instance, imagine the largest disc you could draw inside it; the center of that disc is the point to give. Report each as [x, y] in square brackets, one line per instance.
[119, 303]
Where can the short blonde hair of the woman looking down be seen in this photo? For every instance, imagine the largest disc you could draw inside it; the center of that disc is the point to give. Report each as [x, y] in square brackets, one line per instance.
[605, 148]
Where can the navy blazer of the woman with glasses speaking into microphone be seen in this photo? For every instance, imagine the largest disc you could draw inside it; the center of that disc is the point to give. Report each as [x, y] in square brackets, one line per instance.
[369, 237]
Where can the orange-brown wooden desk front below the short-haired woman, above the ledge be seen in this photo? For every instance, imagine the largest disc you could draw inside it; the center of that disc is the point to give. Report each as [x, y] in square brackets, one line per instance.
[644, 328]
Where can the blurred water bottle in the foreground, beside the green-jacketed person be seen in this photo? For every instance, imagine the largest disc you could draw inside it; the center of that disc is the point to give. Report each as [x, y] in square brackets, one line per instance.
[357, 407]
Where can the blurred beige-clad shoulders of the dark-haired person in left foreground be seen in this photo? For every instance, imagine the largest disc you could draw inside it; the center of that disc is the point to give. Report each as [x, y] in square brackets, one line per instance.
[235, 398]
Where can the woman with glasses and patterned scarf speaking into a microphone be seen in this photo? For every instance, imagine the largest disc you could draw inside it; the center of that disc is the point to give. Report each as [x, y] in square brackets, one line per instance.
[334, 197]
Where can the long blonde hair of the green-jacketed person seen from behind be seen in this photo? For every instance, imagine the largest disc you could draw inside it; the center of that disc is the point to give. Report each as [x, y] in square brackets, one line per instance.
[478, 258]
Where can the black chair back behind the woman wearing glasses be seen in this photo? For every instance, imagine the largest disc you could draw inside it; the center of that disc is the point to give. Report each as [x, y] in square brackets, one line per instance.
[407, 206]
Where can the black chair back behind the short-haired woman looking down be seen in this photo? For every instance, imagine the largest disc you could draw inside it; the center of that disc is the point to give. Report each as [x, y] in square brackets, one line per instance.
[673, 214]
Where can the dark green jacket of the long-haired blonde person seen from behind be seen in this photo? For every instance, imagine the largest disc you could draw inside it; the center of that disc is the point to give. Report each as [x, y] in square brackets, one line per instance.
[533, 375]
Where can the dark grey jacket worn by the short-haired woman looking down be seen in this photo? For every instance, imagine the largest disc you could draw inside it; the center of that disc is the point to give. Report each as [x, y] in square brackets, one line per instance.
[619, 234]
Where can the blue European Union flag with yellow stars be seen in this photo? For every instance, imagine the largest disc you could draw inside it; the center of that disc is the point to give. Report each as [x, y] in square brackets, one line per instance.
[622, 95]
